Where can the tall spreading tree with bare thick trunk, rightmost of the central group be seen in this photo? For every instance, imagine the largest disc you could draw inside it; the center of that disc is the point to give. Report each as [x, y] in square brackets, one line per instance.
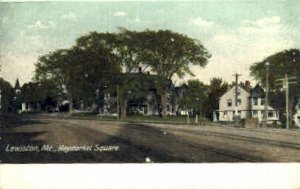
[167, 54]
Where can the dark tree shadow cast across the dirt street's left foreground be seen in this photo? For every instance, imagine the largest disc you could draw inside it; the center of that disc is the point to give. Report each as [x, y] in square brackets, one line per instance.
[136, 143]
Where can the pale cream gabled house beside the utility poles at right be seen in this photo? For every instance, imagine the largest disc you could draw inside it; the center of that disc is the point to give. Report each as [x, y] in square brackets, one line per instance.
[249, 104]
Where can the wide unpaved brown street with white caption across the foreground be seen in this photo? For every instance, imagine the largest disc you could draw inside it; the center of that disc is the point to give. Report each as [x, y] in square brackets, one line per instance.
[37, 139]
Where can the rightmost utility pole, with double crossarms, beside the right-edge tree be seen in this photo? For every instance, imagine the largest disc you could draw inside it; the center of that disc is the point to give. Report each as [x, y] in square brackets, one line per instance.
[285, 86]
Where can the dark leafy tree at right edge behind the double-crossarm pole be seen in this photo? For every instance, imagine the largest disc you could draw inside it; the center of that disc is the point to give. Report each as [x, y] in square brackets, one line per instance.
[281, 63]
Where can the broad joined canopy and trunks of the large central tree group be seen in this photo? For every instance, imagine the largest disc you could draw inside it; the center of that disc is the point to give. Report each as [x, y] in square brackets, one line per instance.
[98, 59]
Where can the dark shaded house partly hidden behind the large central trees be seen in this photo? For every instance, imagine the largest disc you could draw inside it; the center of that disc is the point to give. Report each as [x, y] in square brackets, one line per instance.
[142, 96]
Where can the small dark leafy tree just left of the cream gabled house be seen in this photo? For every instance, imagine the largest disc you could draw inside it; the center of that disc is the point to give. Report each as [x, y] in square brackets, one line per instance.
[195, 96]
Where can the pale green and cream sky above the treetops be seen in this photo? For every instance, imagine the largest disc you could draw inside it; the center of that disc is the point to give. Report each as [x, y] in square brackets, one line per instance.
[237, 33]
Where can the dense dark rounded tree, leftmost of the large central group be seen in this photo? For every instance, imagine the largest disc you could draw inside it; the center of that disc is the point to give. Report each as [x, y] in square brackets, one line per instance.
[80, 70]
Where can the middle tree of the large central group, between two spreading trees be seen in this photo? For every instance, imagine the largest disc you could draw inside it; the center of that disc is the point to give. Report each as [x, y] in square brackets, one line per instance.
[121, 47]
